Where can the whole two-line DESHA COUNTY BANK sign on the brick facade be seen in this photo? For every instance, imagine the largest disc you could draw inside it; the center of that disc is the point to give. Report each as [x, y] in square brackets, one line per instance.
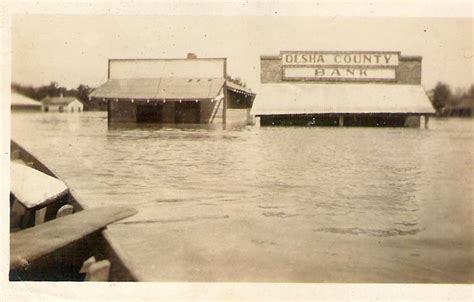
[339, 66]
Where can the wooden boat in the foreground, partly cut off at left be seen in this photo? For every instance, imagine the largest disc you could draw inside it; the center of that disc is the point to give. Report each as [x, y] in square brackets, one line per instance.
[47, 247]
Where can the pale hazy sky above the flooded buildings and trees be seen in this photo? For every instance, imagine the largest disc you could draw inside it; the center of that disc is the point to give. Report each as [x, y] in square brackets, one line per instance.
[73, 49]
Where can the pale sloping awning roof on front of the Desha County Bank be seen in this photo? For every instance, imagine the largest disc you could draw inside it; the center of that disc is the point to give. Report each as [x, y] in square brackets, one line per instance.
[306, 98]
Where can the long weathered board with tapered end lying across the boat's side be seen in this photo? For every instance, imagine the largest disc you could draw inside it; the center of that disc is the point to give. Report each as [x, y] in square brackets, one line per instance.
[33, 243]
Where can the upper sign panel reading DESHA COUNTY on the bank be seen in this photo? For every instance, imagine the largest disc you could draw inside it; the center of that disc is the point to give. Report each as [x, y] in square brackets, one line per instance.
[340, 58]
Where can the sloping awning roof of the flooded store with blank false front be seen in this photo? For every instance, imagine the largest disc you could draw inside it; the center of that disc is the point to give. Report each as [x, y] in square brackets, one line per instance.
[160, 88]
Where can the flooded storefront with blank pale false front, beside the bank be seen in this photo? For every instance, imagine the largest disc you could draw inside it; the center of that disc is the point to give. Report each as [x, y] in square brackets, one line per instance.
[192, 90]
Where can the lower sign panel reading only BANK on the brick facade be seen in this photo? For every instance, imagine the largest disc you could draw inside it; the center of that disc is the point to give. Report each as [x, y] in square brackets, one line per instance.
[338, 73]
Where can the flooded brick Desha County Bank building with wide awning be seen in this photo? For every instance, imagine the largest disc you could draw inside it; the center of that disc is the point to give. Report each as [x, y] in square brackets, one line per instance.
[314, 88]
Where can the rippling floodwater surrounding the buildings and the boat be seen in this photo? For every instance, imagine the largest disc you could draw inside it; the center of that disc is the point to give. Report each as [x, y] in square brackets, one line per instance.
[272, 204]
